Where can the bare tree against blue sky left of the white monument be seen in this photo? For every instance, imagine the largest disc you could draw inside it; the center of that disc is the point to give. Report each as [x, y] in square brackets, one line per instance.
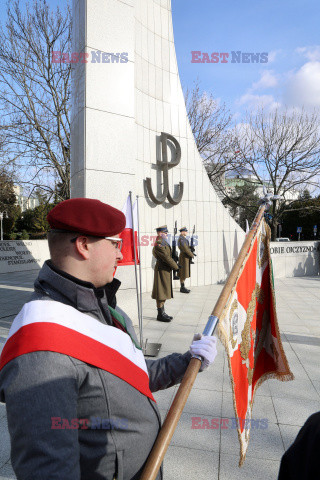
[35, 94]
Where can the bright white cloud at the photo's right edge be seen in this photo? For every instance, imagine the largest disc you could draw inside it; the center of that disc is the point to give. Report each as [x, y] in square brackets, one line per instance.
[303, 87]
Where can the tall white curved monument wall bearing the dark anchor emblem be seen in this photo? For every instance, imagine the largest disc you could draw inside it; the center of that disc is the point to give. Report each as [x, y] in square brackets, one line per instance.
[119, 112]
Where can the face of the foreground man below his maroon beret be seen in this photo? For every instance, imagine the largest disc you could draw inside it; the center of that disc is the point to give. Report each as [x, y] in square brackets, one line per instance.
[104, 257]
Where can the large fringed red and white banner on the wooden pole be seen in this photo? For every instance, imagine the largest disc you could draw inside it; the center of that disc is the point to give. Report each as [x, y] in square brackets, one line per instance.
[249, 331]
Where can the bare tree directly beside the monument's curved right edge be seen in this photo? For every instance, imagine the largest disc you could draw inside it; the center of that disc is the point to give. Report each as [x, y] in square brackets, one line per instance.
[211, 125]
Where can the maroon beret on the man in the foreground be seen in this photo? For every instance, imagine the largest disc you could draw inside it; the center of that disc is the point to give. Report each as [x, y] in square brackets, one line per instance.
[87, 216]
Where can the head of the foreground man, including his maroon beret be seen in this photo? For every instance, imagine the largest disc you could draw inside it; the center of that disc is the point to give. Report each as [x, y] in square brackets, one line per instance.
[77, 239]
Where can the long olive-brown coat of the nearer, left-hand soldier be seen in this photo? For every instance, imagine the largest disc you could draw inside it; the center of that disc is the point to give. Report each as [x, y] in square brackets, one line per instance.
[162, 283]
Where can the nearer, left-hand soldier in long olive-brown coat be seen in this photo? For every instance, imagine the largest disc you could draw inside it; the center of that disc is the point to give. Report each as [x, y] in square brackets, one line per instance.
[162, 284]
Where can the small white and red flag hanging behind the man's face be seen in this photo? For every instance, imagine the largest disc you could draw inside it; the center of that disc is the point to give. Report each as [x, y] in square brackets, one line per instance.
[127, 234]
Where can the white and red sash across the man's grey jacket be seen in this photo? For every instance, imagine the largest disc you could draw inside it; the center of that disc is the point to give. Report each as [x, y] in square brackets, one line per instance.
[45, 325]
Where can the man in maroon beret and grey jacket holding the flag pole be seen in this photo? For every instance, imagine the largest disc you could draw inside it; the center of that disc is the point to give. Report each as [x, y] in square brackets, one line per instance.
[77, 388]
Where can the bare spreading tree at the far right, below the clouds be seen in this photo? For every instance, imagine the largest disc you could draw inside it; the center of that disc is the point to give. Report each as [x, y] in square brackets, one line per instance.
[282, 150]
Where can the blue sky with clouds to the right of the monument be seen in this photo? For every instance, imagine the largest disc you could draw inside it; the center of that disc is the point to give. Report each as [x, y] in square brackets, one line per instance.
[288, 30]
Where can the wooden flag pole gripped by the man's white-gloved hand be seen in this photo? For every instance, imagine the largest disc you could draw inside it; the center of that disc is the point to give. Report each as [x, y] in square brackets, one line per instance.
[167, 430]
